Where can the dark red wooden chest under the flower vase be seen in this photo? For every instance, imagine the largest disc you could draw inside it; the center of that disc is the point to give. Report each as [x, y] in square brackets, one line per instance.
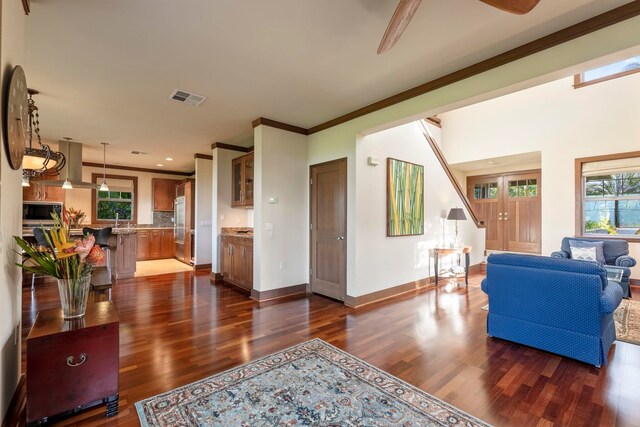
[72, 364]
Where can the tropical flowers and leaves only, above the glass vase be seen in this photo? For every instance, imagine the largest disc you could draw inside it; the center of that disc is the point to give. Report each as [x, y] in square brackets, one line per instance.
[64, 258]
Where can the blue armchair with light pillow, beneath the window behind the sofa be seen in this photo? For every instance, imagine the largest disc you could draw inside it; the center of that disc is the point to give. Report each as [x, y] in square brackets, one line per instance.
[616, 253]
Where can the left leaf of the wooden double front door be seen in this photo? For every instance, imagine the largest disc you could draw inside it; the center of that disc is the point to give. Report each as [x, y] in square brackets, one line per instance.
[484, 194]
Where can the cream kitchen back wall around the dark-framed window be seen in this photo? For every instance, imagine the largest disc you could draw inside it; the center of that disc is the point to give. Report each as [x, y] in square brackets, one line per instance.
[81, 198]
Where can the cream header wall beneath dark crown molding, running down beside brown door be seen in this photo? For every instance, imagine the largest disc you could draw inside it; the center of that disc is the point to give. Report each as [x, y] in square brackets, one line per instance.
[559, 61]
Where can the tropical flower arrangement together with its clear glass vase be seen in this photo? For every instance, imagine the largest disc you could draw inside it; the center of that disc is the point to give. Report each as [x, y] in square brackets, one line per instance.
[71, 262]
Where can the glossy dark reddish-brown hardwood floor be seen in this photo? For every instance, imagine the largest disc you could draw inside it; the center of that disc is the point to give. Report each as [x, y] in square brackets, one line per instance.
[178, 328]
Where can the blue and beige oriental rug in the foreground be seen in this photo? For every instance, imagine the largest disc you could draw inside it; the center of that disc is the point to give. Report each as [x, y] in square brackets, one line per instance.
[310, 384]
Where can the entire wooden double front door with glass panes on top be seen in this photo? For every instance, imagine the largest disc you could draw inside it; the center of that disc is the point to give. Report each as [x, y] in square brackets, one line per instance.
[510, 206]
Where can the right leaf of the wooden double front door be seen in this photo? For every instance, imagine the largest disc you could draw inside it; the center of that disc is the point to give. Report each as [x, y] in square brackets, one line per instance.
[522, 215]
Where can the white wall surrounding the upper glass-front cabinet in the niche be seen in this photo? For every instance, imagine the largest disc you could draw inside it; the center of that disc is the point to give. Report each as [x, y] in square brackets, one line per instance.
[223, 215]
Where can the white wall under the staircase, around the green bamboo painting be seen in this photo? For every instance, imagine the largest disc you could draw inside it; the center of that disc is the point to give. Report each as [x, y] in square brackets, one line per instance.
[383, 262]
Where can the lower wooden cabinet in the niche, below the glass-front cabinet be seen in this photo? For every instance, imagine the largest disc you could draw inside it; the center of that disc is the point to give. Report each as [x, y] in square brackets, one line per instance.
[237, 261]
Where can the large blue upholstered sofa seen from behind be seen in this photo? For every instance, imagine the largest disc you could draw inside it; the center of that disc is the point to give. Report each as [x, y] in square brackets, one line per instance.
[562, 306]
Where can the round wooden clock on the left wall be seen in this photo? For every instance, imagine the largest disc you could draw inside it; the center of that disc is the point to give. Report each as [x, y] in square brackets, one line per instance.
[16, 117]
